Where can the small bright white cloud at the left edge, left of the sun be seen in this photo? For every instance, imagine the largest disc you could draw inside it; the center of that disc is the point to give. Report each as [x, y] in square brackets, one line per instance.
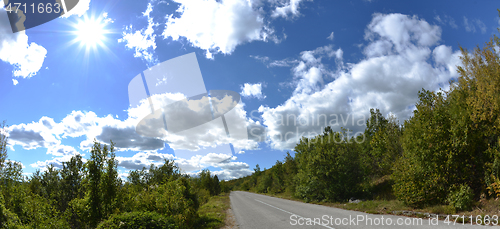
[27, 58]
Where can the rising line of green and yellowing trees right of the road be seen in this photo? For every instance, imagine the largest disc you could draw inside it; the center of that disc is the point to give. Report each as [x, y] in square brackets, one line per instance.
[446, 153]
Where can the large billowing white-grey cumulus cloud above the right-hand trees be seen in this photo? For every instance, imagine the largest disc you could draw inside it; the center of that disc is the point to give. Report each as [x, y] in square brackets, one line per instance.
[400, 59]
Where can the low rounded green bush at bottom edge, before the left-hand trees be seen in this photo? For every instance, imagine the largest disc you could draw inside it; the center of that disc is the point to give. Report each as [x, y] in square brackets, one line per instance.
[136, 220]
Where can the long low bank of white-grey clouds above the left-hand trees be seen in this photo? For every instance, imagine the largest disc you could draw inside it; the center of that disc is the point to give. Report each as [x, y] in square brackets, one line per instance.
[47, 133]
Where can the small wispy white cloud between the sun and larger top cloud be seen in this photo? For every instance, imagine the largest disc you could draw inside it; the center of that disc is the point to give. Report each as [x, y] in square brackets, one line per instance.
[142, 41]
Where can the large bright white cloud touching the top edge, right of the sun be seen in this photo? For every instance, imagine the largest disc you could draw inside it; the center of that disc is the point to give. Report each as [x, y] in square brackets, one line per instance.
[217, 26]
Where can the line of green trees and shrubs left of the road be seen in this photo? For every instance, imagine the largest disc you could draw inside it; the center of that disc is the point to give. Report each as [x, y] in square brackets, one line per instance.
[91, 195]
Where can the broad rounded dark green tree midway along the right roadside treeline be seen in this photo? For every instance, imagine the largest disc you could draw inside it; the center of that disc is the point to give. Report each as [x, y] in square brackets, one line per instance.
[326, 158]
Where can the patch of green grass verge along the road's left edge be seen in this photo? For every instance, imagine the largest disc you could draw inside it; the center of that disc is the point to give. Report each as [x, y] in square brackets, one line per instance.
[213, 213]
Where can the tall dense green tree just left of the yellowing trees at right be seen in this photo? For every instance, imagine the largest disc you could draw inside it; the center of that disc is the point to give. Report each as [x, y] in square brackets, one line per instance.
[420, 177]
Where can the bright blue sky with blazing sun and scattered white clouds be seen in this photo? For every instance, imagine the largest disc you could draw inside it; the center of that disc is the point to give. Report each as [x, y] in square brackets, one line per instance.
[297, 66]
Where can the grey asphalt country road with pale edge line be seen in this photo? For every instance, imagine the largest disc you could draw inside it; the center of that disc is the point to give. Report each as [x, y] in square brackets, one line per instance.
[260, 211]
